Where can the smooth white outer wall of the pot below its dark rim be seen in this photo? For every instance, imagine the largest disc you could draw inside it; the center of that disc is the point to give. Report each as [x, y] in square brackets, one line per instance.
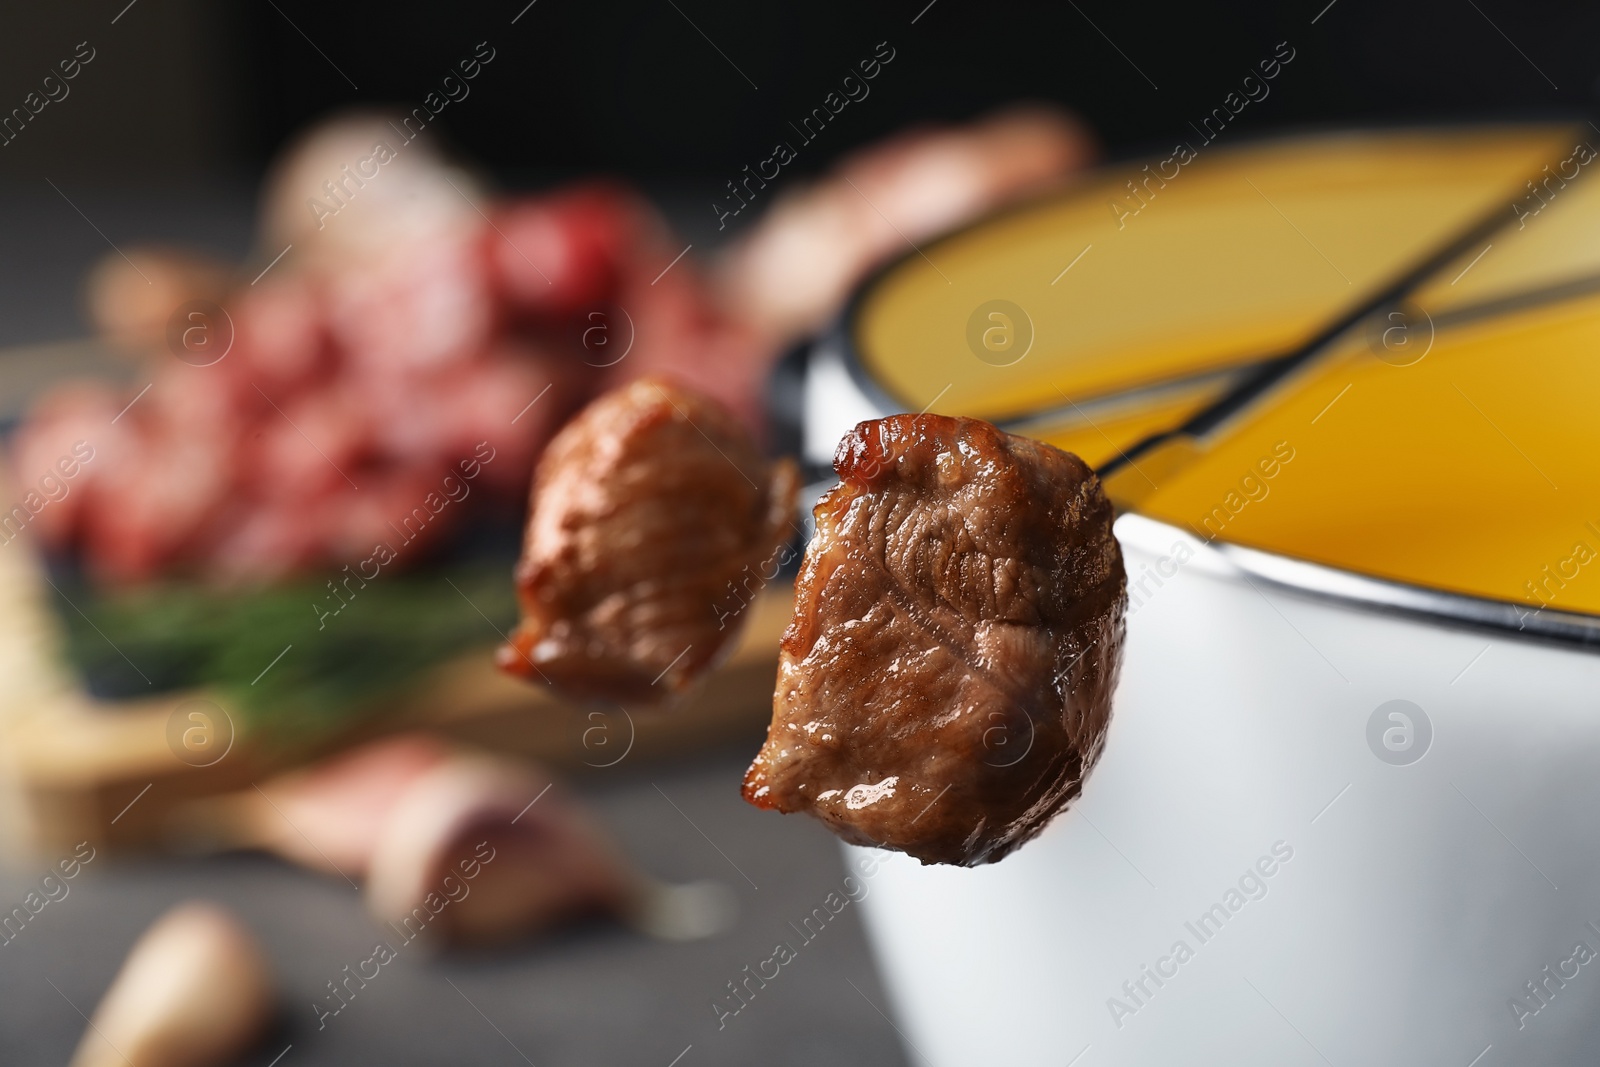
[1415, 908]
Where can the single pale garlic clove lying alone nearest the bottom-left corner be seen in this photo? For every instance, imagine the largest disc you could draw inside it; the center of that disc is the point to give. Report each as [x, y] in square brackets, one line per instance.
[194, 993]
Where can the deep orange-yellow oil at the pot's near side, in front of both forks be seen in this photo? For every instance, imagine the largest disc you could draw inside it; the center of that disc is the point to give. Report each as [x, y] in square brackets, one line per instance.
[1471, 471]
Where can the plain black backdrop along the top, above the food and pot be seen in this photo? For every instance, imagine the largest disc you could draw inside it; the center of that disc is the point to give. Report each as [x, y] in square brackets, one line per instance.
[193, 89]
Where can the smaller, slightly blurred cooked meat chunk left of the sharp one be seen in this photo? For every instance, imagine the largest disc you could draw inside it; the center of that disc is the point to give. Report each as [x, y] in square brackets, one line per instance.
[647, 510]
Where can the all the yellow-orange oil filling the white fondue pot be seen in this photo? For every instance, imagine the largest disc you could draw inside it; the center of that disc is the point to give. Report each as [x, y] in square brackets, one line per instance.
[1470, 471]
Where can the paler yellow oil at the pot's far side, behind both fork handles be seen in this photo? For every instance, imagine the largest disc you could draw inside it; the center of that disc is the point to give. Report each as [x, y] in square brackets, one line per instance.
[1241, 257]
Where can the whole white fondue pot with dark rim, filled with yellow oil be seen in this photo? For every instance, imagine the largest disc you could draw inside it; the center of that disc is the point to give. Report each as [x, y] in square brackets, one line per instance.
[1345, 391]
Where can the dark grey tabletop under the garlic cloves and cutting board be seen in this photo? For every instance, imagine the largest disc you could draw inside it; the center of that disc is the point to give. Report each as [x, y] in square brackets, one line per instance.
[598, 994]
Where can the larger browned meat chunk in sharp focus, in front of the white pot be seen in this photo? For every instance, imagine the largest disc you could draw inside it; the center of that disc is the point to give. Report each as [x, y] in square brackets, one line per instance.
[946, 681]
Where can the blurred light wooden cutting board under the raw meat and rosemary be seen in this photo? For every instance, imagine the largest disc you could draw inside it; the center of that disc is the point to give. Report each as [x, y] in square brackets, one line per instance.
[76, 769]
